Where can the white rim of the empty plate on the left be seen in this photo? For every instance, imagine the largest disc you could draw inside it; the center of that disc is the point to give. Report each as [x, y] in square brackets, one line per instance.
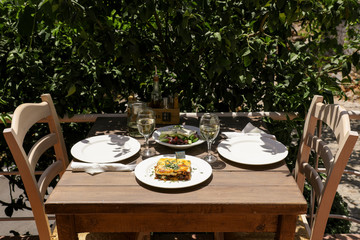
[77, 156]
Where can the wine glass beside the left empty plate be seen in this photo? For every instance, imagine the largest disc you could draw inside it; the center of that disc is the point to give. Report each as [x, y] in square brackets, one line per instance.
[145, 122]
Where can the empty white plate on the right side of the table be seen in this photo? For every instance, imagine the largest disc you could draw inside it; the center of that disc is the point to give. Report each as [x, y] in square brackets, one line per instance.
[252, 150]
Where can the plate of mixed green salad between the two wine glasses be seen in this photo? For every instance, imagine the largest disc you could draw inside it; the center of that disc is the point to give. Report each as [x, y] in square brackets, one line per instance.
[178, 136]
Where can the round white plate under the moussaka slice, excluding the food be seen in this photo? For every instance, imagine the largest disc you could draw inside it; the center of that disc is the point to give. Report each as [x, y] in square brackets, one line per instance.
[201, 171]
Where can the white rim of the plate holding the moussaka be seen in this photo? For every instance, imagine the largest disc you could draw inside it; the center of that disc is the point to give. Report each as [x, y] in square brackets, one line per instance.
[147, 163]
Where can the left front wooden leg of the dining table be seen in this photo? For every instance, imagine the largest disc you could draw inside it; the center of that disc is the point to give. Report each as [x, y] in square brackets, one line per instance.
[66, 227]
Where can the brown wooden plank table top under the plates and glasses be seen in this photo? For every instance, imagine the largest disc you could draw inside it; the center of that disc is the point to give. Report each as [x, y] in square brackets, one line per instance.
[232, 188]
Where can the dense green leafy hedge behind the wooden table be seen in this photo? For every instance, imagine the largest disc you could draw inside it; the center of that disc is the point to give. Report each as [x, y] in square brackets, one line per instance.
[225, 55]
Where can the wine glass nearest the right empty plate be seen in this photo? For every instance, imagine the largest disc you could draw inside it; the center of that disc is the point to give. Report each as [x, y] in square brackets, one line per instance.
[209, 129]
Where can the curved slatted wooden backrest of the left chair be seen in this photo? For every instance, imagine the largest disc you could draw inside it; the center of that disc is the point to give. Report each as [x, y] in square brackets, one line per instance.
[24, 117]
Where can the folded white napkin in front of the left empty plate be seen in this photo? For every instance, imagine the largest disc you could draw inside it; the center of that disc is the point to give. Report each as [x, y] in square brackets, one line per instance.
[93, 168]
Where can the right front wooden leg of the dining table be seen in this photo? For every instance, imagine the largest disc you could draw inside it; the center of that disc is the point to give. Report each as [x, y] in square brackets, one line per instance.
[286, 227]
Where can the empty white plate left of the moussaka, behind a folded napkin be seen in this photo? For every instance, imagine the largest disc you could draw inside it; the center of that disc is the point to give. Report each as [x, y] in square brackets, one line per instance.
[105, 148]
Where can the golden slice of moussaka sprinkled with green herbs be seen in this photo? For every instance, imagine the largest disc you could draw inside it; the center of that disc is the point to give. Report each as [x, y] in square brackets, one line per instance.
[173, 169]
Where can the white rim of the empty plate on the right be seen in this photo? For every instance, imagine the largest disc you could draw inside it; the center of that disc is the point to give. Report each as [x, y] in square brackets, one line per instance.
[221, 150]
